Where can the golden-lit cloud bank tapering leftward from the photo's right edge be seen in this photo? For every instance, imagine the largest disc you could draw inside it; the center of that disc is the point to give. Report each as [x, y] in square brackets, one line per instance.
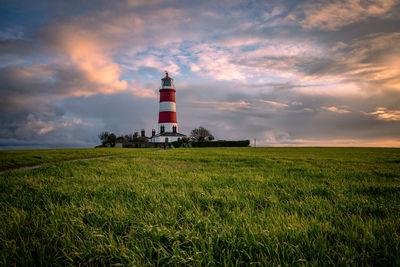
[369, 60]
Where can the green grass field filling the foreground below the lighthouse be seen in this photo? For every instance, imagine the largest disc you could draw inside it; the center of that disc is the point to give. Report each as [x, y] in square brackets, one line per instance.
[205, 206]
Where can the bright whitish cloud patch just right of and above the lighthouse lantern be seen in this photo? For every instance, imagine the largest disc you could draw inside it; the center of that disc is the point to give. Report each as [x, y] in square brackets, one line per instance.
[268, 61]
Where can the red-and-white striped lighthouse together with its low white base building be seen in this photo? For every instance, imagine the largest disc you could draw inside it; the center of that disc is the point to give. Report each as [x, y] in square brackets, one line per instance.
[167, 121]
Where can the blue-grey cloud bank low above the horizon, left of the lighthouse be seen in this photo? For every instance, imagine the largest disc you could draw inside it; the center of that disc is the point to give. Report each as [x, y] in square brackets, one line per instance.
[120, 113]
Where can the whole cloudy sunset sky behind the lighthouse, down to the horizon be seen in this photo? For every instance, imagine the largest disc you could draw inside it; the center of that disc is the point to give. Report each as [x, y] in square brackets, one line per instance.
[286, 73]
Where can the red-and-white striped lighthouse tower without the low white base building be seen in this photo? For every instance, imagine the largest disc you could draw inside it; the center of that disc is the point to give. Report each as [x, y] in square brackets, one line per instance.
[167, 116]
